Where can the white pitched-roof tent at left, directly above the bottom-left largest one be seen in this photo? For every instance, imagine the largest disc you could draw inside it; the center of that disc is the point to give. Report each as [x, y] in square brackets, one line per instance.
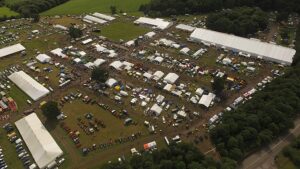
[31, 87]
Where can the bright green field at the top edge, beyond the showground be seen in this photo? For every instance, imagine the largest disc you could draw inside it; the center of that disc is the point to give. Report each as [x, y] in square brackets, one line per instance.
[87, 6]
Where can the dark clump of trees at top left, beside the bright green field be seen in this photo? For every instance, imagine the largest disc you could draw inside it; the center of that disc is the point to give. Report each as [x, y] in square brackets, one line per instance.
[29, 8]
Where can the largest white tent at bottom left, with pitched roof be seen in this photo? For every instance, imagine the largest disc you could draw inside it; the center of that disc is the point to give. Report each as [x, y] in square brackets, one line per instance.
[40, 143]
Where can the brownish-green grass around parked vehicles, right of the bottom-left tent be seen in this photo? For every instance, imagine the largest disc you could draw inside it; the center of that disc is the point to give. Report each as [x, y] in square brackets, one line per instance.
[114, 127]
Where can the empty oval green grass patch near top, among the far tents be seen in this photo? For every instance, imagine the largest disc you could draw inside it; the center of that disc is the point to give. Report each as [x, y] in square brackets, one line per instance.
[123, 30]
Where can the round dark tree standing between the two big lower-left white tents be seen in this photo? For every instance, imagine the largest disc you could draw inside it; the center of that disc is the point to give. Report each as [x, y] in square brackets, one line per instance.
[51, 110]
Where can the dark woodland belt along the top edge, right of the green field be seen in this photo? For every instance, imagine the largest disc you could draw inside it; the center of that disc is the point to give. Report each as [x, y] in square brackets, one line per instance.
[180, 7]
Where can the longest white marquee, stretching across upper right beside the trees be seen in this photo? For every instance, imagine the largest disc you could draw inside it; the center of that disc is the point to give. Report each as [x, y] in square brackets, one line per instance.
[267, 51]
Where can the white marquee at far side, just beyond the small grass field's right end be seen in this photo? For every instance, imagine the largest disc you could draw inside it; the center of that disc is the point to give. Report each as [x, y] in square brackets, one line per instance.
[157, 23]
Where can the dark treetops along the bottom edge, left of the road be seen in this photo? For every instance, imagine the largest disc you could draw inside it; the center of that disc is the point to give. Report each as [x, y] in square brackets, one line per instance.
[181, 156]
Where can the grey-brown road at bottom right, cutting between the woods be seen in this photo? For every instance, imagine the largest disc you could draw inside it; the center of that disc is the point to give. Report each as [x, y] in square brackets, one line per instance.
[264, 159]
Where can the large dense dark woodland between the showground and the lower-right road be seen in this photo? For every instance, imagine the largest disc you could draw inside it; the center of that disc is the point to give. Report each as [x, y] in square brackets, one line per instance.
[269, 114]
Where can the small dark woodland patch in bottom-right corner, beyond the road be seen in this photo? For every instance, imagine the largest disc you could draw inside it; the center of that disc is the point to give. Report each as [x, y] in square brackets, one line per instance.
[293, 152]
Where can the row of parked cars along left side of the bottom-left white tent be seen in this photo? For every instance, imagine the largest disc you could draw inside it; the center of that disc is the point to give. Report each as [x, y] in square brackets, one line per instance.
[21, 151]
